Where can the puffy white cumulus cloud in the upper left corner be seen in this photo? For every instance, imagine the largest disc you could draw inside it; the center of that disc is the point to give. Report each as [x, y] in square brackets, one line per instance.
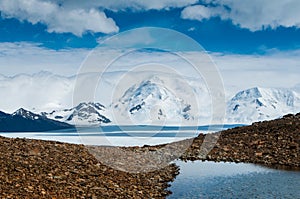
[58, 18]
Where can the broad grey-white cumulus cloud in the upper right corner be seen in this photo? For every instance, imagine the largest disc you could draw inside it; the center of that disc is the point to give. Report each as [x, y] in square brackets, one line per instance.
[251, 14]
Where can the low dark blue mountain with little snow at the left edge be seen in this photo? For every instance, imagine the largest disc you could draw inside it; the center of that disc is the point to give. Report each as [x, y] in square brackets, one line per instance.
[25, 121]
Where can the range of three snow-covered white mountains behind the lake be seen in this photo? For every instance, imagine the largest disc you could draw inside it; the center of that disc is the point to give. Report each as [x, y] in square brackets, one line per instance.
[152, 102]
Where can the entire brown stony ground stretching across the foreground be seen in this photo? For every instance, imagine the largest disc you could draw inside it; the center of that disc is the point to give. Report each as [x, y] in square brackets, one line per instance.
[47, 169]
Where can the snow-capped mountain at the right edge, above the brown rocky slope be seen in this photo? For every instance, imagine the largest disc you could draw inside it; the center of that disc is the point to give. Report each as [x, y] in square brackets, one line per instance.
[257, 104]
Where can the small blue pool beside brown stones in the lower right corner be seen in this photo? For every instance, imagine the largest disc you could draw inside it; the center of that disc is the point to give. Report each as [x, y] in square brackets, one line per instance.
[229, 180]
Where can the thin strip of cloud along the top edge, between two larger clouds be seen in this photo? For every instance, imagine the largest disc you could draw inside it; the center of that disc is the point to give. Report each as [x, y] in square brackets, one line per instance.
[117, 5]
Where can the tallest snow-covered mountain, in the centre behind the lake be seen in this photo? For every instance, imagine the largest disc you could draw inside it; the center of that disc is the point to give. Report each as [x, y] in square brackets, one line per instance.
[151, 102]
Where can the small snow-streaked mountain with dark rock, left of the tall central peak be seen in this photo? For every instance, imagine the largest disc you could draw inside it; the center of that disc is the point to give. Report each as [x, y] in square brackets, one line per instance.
[85, 114]
